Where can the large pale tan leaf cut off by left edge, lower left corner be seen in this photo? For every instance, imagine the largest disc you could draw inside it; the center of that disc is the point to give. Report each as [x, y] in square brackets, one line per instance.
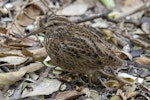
[7, 79]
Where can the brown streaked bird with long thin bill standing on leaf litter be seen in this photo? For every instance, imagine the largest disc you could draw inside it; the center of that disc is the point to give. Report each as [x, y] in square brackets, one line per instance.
[74, 48]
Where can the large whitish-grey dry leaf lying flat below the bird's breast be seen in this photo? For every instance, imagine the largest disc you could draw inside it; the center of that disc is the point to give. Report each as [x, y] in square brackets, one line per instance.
[43, 86]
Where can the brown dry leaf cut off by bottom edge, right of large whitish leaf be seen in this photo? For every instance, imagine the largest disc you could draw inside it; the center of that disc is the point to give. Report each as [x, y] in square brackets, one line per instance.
[68, 95]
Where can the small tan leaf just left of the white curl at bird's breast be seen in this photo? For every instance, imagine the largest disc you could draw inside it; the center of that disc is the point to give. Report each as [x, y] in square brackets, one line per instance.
[32, 67]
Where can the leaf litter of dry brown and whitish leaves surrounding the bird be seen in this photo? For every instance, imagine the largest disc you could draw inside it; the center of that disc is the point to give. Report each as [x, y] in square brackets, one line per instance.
[25, 58]
